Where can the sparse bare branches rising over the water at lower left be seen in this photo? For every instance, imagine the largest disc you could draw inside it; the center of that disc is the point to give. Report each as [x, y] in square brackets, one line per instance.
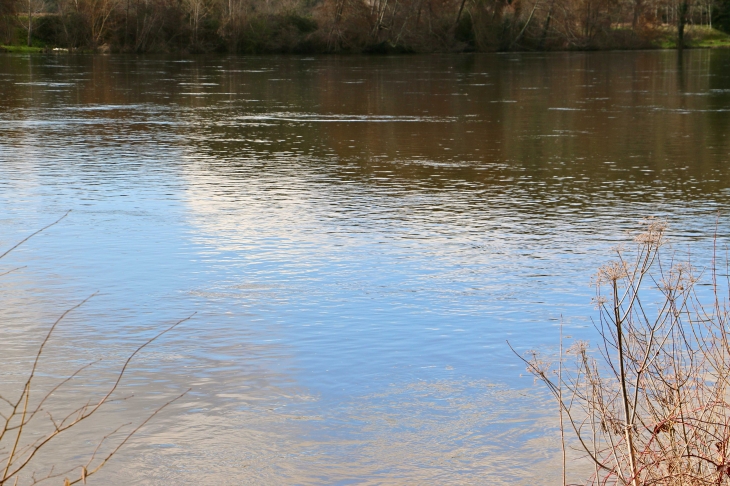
[21, 438]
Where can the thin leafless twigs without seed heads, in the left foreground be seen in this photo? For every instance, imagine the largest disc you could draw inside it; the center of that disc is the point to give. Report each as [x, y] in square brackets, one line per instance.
[33, 423]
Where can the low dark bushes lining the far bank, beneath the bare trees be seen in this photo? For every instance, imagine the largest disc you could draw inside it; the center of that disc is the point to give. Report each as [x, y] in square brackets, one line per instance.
[306, 35]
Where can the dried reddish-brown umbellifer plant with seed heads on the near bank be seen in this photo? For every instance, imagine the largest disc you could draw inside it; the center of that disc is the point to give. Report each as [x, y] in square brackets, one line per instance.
[651, 405]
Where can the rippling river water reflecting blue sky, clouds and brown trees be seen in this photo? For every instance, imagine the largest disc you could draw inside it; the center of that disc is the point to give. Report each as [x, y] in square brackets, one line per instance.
[358, 238]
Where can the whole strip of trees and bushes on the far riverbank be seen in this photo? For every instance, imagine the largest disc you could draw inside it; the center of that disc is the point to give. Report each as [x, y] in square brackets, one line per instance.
[308, 26]
